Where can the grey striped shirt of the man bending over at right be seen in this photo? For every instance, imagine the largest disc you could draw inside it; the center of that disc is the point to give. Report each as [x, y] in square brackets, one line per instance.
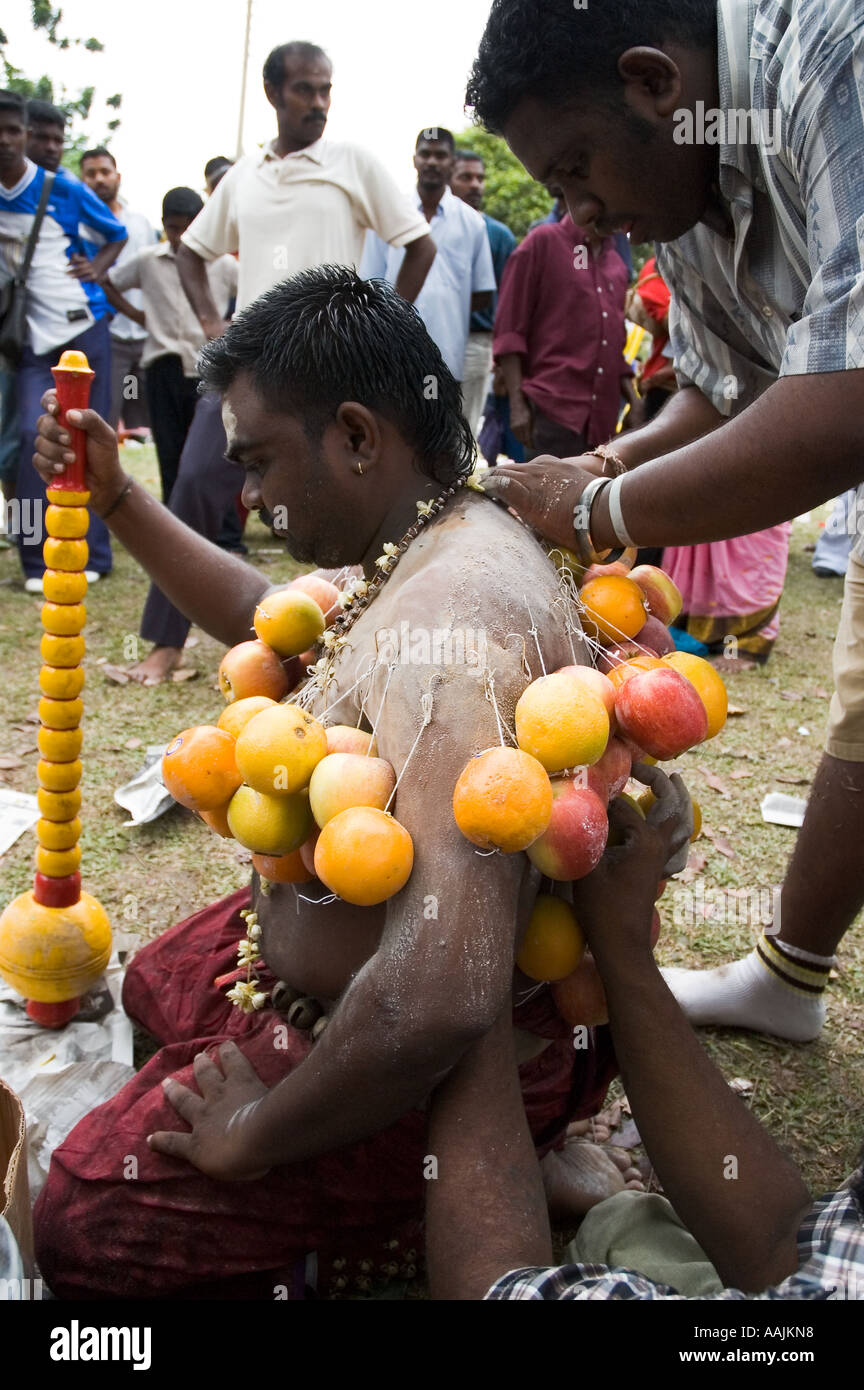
[784, 295]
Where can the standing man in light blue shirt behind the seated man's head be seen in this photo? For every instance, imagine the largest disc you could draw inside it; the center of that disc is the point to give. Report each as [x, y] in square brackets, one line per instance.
[462, 280]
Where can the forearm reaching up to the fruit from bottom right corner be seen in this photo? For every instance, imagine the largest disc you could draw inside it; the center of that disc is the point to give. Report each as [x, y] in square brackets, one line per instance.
[731, 1185]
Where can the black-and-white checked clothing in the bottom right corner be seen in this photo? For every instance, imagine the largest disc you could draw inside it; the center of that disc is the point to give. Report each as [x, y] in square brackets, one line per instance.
[831, 1254]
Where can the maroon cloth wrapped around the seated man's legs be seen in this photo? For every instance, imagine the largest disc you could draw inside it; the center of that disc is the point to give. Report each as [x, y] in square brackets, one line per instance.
[119, 1221]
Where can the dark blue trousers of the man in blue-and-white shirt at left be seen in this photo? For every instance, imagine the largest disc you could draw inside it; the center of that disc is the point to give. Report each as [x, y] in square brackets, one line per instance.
[34, 380]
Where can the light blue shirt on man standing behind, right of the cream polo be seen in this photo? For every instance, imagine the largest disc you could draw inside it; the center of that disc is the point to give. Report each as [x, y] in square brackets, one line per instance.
[463, 268]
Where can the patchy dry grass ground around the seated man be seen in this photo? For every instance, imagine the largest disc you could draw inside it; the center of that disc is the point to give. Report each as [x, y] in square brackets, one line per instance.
[811, 1097]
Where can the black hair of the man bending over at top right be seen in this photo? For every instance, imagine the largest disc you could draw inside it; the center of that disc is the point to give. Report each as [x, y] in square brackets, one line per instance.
[551, 49]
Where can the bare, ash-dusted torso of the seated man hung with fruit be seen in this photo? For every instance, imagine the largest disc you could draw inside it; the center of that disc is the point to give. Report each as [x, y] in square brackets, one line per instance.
[483, 578]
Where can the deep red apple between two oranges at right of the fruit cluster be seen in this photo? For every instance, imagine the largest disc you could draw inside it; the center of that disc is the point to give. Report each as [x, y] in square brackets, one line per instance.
[662, 717]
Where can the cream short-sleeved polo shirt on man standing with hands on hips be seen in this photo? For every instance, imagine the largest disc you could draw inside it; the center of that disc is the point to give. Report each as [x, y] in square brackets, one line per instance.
[290, 213]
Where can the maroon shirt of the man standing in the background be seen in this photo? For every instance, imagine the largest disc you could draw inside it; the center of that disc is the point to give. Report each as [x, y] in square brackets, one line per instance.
[559, 340]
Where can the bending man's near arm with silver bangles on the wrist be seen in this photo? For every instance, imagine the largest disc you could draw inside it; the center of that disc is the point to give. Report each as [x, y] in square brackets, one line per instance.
[801, 444]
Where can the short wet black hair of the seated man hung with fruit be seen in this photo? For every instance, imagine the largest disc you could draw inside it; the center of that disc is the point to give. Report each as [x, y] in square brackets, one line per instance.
[327, 337]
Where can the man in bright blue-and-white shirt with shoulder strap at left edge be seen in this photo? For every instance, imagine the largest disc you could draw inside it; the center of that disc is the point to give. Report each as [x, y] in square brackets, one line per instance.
[66, 308]
